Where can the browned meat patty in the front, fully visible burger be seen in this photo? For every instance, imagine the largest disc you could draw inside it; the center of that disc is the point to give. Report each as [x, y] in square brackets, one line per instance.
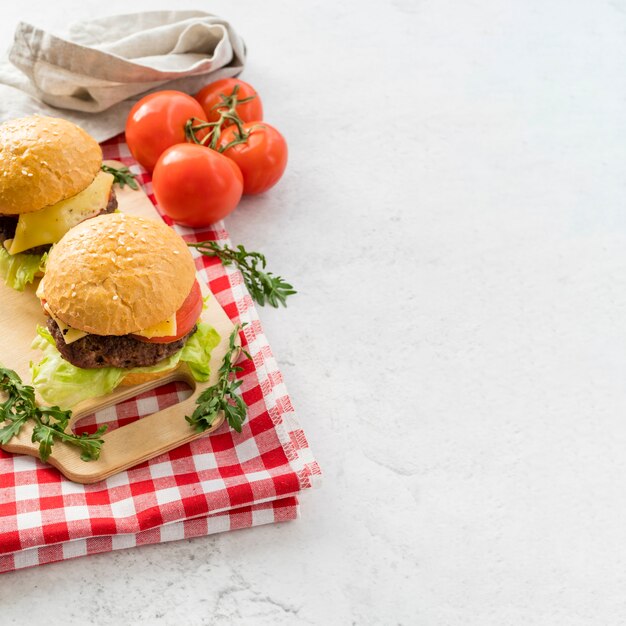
[94, 351]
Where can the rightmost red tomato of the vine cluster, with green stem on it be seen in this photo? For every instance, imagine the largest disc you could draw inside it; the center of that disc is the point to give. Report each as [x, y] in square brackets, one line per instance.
[262, 159]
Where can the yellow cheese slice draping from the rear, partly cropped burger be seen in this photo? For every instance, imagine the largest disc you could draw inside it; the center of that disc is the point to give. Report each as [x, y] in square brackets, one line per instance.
[50, 224]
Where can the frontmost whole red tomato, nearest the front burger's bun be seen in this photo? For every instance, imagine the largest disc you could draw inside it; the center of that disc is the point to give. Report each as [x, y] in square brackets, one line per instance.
[196, 186]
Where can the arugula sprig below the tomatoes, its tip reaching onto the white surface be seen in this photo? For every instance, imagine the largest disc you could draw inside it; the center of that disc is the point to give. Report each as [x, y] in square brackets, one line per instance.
[264, 287]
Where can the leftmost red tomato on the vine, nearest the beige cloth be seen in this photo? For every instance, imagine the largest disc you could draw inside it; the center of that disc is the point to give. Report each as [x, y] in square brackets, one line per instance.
[157, 122]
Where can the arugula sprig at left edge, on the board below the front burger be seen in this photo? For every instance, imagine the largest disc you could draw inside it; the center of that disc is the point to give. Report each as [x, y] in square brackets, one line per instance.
[50, 423]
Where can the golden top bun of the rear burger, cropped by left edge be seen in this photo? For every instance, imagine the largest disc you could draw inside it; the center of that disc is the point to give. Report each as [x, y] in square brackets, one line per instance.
[44, 160]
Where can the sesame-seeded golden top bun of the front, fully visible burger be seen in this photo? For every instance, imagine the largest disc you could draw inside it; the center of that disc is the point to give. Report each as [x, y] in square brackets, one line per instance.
[117, 274]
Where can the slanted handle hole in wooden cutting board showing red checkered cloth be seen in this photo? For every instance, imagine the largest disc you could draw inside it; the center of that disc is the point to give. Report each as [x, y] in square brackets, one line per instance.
[133, 409]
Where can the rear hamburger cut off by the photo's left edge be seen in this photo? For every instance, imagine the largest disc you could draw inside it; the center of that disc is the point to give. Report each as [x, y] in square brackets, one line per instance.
[50, 180]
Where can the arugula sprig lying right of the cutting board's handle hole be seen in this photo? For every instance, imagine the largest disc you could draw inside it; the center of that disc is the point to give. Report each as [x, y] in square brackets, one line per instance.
[223, 395]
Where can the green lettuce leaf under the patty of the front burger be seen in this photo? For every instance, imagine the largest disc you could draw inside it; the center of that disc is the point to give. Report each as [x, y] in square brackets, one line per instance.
[63, 384]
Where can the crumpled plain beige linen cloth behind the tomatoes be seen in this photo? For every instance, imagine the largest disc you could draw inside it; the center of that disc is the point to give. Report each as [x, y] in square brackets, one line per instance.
[104, 65]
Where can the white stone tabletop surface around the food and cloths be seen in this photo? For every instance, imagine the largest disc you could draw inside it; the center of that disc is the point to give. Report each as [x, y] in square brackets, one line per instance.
[454, 219]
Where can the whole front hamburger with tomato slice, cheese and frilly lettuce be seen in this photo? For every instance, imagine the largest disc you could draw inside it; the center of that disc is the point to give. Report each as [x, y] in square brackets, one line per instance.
[122, 306]
